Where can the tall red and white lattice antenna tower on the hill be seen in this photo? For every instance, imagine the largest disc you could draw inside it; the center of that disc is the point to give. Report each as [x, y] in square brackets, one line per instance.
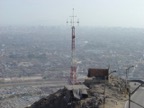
[73, 76]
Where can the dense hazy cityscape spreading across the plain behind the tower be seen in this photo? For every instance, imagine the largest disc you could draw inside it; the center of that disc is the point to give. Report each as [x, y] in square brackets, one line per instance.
[44, 53]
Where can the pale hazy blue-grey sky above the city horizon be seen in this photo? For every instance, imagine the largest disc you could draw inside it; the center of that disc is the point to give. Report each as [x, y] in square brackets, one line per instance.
[109, 13]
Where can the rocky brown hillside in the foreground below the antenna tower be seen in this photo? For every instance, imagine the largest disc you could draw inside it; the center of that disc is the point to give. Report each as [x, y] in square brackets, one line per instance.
[109, 94]
